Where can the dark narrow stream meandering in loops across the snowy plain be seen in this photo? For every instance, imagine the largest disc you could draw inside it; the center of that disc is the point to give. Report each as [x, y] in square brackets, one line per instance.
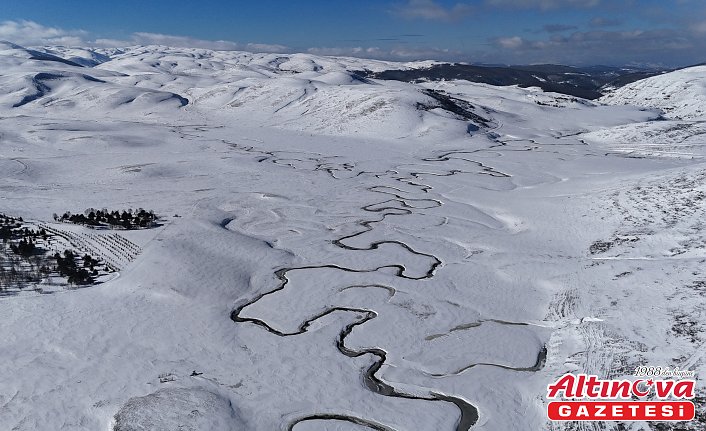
[397, 205]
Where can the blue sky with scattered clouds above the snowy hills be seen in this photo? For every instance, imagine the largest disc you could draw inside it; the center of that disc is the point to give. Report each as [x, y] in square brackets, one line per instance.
[668, 32]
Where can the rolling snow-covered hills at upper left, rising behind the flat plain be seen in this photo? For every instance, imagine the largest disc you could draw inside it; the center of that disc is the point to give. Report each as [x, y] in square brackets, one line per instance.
[295, 91]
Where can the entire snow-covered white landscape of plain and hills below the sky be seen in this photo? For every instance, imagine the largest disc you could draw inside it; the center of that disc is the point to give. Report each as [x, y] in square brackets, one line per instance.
[335, 252]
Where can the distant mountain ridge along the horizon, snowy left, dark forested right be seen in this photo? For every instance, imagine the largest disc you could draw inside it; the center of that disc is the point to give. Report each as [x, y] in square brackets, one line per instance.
[588, 82]
